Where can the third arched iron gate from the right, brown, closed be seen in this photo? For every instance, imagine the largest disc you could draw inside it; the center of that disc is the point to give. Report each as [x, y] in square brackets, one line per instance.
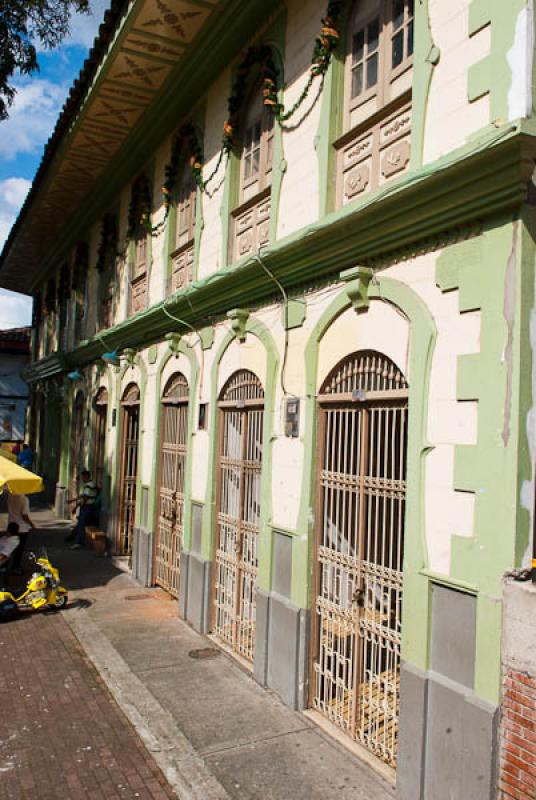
[174, 431]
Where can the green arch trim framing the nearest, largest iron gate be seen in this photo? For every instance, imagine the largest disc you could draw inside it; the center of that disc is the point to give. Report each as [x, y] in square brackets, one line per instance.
[423, 336]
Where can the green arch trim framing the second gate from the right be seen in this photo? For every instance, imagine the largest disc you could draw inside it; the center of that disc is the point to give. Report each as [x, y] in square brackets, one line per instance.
[256, 328]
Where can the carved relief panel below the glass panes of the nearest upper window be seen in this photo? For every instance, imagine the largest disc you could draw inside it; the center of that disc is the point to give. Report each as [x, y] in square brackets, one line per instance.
[366, 159]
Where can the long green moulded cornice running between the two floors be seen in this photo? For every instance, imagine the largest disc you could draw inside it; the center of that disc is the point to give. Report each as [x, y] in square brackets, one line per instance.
[421, 212]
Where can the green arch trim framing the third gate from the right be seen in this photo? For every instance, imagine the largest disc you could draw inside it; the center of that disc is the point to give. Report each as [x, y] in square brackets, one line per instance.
[192, 394]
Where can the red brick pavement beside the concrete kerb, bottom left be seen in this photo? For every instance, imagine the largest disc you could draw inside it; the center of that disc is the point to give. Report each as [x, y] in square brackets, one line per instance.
[61, 732]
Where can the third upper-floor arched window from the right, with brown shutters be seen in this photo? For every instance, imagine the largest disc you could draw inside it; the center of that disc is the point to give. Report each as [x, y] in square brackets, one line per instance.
[182, 256]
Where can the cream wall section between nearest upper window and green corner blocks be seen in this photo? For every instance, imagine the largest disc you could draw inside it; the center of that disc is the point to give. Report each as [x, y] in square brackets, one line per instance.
[448, 99]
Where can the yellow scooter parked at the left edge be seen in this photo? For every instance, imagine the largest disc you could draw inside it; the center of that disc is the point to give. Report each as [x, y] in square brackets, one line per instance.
[43, 590]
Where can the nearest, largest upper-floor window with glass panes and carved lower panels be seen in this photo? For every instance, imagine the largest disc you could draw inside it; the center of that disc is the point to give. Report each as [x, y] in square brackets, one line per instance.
[377, 119]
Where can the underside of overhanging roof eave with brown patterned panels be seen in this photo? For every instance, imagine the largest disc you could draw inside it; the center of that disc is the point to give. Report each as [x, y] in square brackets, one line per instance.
[145, 72]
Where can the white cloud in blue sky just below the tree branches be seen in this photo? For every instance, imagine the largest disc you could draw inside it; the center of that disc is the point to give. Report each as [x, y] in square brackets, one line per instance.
[32, 117]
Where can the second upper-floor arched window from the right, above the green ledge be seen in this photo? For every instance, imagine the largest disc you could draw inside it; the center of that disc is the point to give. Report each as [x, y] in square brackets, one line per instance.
[251, 219]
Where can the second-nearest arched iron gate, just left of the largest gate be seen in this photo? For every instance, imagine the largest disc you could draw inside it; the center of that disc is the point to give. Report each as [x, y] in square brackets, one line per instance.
[239, 495]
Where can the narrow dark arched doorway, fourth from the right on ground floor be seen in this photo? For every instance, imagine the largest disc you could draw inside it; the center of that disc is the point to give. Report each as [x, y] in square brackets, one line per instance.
[130, 425]
